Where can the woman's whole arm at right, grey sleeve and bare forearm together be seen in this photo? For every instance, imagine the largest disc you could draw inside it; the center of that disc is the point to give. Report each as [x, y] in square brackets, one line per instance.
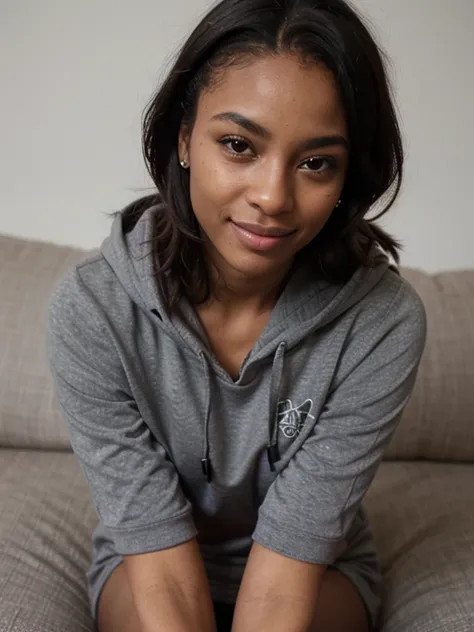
[310, 507]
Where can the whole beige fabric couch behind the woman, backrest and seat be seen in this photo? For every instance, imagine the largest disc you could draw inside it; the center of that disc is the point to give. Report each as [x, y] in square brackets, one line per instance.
[421, 502]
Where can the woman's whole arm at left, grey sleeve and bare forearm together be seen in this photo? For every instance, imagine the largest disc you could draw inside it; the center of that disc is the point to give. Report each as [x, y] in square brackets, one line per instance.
[133, 482]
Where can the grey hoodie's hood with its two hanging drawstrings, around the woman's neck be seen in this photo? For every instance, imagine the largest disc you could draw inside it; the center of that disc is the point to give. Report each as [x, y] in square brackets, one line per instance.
[305, 305]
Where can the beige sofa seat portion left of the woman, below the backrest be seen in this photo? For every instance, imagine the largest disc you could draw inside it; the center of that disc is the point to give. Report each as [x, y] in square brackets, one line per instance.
[46, 524]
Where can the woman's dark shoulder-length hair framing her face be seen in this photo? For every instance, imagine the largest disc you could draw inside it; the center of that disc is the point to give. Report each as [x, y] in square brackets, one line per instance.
[327, 32]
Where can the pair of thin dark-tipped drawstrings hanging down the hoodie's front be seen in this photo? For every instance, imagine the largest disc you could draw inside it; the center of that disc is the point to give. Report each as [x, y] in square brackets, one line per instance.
[275, 387]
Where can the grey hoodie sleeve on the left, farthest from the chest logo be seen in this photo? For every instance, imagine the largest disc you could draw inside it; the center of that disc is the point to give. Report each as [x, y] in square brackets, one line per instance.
[133, 483]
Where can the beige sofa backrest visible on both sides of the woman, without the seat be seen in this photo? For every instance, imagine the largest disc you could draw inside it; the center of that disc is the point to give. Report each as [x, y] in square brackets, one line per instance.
[438, 422]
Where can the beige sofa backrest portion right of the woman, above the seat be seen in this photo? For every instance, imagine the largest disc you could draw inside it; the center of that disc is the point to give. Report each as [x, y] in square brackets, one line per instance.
[438, 421]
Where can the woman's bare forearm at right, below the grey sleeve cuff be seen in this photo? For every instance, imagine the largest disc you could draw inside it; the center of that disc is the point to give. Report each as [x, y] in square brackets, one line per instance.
[277, 594]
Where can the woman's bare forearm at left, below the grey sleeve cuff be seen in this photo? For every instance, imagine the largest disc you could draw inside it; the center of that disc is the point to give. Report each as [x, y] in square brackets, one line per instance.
[170, 590]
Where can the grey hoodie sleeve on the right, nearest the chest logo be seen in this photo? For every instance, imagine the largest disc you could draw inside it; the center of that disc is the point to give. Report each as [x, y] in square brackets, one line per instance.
[309, 508]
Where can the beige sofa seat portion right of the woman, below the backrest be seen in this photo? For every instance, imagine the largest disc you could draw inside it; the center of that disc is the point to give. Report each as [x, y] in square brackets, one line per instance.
[423, 523]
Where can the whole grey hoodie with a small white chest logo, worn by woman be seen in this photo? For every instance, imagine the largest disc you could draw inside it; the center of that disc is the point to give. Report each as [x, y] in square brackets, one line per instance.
[173, 448]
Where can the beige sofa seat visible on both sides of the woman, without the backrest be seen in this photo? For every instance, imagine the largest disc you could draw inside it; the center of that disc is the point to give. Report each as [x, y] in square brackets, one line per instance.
[422, 516]
